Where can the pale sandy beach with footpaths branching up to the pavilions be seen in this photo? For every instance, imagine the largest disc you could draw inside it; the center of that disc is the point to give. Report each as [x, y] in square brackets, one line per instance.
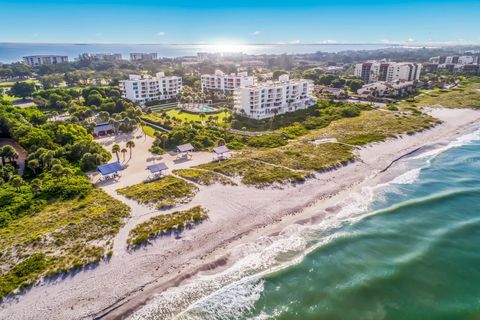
[237, 214]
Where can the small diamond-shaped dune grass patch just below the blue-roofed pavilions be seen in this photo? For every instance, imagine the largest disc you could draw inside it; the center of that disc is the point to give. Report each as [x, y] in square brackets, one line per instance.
[165, 192]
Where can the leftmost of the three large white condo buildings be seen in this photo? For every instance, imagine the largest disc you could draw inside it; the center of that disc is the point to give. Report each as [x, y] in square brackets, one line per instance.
[143, 89]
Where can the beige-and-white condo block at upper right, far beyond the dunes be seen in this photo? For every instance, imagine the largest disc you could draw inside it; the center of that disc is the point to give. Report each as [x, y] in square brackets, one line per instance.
[373, 71]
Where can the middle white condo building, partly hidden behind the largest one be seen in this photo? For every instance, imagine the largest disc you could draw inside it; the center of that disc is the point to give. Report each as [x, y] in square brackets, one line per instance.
[226, 82]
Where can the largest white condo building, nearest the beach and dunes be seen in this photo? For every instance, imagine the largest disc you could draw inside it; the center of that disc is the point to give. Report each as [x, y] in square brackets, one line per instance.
[264, 100]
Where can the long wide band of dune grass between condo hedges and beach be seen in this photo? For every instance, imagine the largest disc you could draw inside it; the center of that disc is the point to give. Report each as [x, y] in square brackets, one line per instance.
[300, 158]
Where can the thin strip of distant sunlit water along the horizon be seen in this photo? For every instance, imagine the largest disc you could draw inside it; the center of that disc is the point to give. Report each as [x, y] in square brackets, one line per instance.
[11, 52]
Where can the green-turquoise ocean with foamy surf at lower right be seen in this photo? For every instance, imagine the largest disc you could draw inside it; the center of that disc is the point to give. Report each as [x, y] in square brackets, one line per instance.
[404, 249]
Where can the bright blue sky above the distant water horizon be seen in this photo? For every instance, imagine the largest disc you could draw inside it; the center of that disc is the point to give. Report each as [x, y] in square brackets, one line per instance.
[240, 22]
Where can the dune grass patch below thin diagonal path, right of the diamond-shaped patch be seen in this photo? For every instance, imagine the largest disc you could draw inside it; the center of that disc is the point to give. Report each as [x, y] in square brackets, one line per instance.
[255, 173]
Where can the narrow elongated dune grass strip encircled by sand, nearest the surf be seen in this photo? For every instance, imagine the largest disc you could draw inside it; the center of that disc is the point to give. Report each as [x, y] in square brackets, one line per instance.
[165, 223]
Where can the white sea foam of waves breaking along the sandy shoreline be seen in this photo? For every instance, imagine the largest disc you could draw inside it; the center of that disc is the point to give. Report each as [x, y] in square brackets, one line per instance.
[232, 293]
